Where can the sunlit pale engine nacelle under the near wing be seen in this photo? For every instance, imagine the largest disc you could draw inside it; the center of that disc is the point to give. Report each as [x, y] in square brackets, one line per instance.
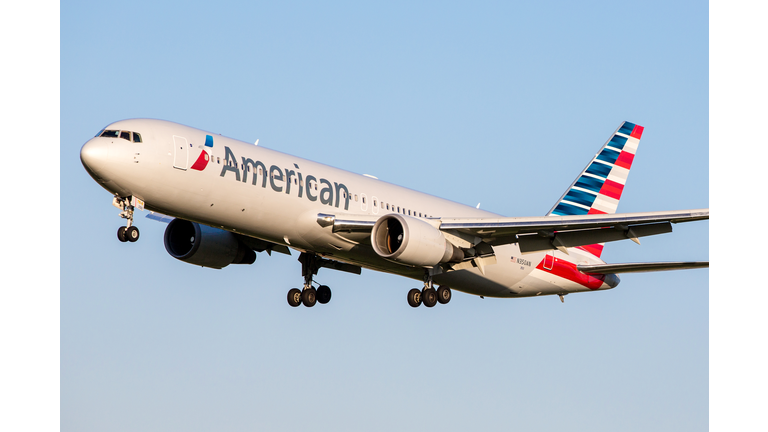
[411, 241]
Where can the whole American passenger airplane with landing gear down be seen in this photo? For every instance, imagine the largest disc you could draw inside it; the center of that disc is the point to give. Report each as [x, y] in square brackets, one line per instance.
[226, 199]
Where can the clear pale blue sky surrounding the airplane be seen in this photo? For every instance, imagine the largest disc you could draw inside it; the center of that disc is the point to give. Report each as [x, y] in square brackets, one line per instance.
[492, 103]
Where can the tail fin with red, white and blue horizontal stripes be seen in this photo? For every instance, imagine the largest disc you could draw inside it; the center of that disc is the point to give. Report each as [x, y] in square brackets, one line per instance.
[598, 188]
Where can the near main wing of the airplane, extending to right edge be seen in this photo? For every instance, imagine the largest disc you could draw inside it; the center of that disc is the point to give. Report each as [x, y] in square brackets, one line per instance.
[535, 234]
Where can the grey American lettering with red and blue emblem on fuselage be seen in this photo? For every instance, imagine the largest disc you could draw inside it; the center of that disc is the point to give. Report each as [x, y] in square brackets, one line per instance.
[280, 179]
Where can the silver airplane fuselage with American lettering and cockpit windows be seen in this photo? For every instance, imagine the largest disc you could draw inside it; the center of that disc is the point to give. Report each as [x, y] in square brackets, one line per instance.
[250, 190]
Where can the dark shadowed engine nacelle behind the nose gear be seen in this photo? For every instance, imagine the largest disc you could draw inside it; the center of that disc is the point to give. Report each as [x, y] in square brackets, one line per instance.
[205, 246]
